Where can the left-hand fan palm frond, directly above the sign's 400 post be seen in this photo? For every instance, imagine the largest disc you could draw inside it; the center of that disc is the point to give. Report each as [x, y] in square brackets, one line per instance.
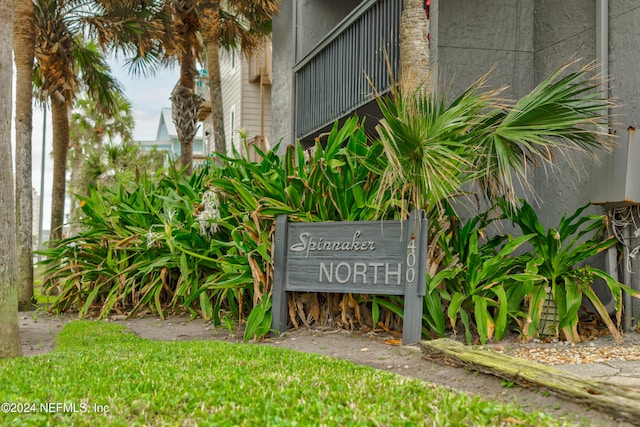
[429, 143]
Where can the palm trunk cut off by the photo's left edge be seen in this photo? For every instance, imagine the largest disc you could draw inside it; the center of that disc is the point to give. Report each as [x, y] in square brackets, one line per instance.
[9, 332]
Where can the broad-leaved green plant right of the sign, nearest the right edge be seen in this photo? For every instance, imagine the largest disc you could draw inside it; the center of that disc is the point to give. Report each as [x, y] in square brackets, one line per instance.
[561, 253]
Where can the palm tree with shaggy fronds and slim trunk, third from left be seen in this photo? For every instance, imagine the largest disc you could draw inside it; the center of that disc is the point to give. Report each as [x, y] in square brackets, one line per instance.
[66, 63]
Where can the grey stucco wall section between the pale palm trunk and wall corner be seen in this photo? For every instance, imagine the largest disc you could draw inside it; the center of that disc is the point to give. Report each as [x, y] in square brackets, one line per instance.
[474, 37]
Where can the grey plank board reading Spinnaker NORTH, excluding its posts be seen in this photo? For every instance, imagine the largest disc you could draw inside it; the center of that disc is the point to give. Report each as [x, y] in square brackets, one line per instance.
[365, 257]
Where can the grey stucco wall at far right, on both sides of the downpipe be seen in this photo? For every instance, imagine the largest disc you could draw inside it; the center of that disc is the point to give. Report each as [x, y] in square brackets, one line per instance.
[566, 30]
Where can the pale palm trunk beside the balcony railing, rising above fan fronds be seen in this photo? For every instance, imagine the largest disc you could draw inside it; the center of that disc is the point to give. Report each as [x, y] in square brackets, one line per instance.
[414, 47]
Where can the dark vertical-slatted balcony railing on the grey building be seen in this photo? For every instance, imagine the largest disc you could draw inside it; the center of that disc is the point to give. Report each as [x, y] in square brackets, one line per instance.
[332, 80]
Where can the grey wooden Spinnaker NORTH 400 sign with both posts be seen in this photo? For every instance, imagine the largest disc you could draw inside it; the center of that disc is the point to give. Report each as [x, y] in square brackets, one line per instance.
[365, 257]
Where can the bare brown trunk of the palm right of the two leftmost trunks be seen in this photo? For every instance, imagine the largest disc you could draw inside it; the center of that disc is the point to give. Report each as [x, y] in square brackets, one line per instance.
[60, 120]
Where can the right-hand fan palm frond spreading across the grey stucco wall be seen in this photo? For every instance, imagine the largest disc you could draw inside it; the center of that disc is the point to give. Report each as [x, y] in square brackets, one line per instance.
[563, 113]
